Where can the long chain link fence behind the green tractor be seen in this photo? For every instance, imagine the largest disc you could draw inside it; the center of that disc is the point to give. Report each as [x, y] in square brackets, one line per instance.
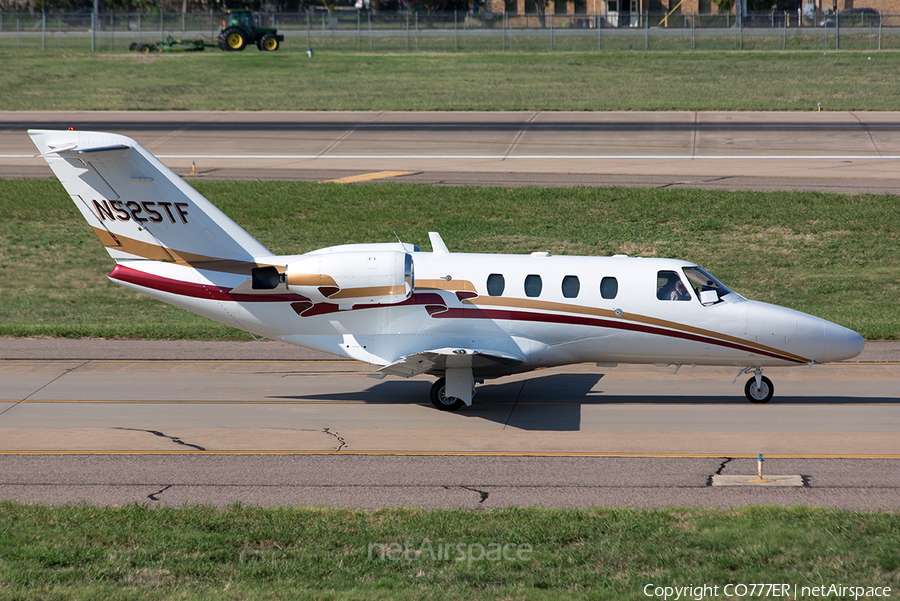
[350, 30]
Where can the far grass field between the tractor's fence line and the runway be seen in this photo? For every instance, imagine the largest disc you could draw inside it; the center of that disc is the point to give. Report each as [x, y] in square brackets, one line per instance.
[493, 81]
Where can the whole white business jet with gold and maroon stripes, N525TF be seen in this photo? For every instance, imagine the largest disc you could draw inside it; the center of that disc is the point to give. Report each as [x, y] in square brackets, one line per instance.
[460, 317]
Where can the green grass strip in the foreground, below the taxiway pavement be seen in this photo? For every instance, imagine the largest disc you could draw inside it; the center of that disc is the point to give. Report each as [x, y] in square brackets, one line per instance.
[137, 552]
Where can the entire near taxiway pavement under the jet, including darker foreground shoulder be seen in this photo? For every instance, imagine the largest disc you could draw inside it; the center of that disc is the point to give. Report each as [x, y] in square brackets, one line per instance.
[129, 422]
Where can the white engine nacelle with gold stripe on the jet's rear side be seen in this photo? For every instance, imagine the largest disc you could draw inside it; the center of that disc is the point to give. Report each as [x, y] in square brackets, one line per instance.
[378, 277]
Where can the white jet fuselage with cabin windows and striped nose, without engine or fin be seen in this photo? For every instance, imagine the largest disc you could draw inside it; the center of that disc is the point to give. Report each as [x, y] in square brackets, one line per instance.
[561, 318]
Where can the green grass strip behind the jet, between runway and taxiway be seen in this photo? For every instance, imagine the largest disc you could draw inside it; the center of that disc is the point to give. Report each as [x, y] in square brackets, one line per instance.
[834, 256]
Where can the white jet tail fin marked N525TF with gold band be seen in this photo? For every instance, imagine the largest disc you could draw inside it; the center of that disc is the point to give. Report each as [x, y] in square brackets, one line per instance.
[138, 207]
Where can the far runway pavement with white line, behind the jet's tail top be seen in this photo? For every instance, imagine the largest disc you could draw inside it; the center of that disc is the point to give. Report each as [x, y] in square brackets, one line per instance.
[839, 152]
